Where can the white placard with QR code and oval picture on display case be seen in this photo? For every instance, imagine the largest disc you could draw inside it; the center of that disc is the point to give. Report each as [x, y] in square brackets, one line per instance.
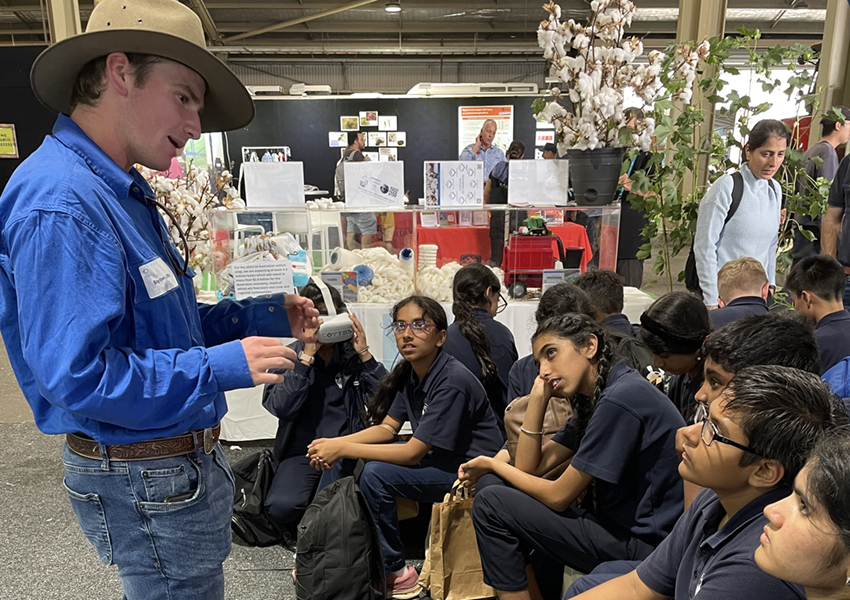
[374, 184]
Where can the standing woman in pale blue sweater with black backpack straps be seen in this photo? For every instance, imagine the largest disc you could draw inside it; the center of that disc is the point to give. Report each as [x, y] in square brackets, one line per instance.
[753, 228]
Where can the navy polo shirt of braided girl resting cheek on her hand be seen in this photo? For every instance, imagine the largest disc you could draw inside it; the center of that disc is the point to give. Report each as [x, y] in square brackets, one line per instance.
[629, 448]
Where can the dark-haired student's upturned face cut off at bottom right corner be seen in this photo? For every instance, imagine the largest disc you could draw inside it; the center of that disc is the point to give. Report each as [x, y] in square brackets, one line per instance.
[807, 538]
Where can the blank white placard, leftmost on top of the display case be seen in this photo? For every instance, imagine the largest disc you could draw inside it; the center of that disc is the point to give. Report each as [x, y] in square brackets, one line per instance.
[273, 185]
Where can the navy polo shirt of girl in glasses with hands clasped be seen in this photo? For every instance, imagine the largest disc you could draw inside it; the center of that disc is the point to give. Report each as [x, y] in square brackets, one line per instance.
[449, 410]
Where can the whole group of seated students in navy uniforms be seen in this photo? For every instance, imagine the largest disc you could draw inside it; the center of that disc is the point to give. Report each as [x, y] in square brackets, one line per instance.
[733, 482]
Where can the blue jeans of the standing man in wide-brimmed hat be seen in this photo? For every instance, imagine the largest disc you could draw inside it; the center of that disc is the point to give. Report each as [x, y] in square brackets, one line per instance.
[173, 549]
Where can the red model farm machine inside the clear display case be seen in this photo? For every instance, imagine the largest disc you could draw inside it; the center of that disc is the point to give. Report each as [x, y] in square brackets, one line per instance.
[527, 255]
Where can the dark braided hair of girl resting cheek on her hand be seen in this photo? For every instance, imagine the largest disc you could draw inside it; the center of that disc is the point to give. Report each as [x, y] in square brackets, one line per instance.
[577, 329]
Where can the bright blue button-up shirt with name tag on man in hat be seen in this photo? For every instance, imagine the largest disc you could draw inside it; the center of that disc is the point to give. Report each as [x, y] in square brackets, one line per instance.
[98, 346]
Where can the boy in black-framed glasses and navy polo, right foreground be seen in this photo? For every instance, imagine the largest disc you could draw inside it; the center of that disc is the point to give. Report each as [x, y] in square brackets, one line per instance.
[746, 450]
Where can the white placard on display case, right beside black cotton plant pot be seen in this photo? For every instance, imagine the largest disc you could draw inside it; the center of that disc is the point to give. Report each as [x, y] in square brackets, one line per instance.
[538, 182]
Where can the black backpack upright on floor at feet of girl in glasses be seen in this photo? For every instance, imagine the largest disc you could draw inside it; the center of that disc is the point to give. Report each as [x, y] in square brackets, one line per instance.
[338, 554]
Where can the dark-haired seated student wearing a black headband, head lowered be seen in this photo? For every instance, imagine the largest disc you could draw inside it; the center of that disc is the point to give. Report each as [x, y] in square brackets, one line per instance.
[674, 328]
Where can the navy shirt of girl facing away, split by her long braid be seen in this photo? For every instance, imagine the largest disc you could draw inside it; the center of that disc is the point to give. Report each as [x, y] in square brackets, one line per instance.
[503, 352]
